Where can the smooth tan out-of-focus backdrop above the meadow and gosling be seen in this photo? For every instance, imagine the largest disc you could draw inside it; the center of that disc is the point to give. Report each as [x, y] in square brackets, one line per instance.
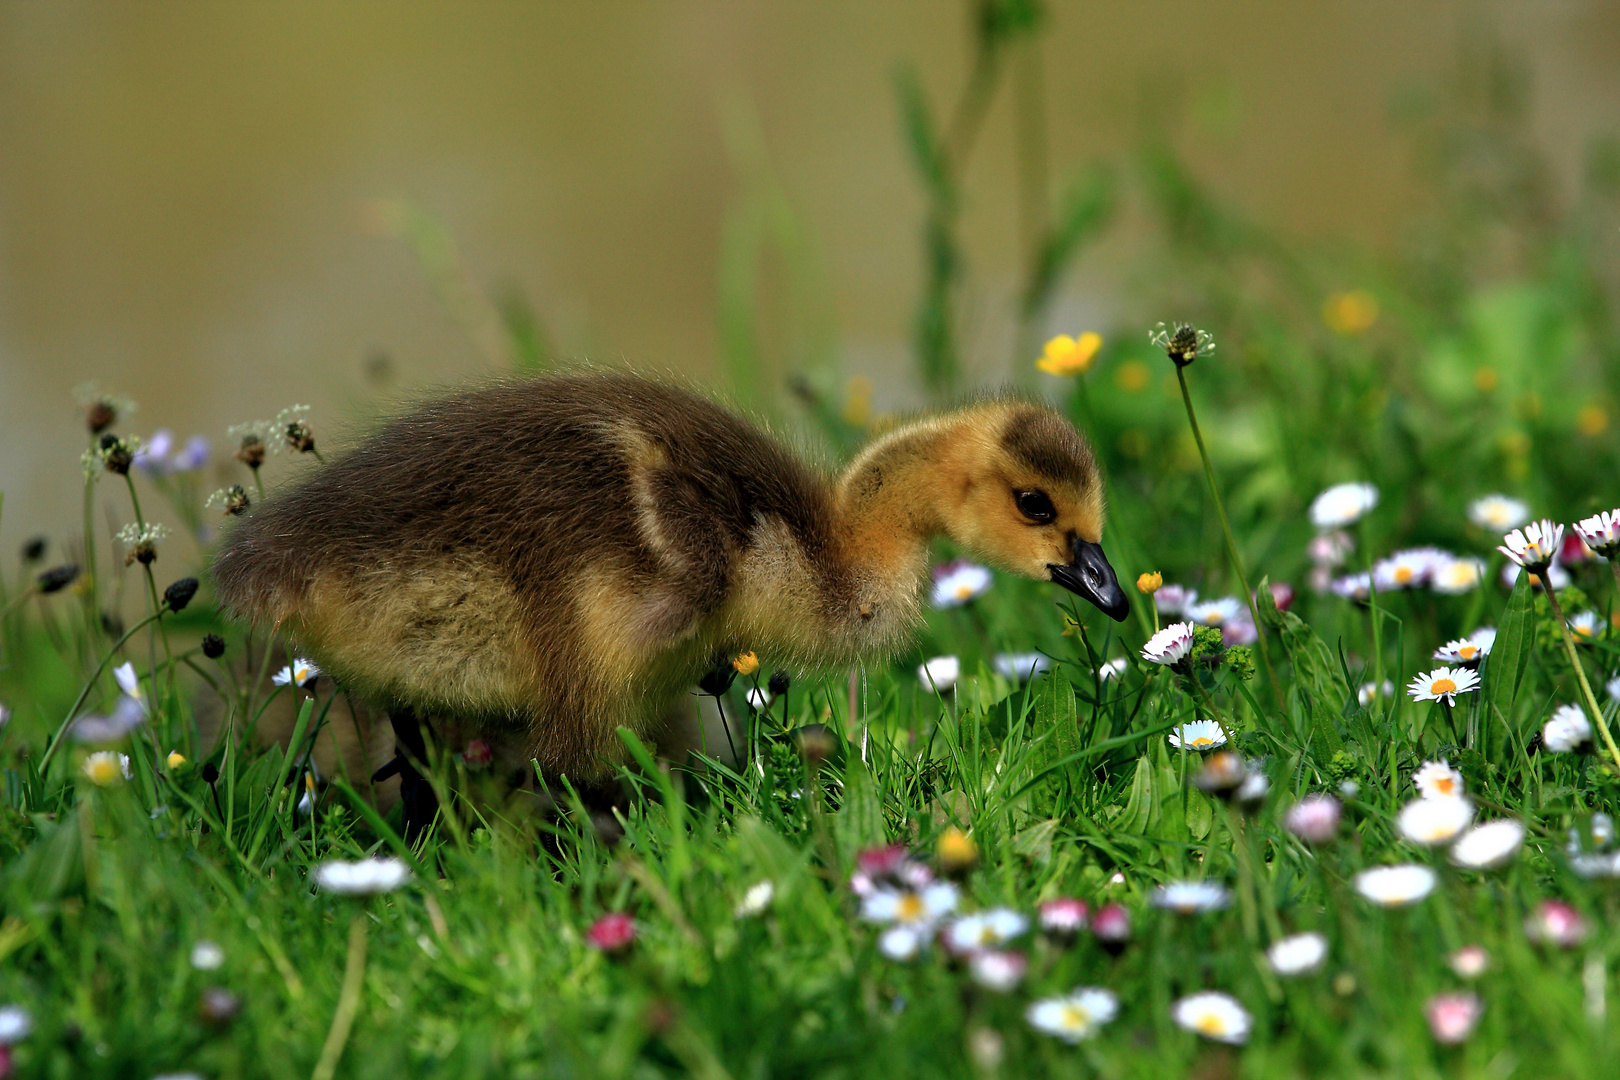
[189, 192]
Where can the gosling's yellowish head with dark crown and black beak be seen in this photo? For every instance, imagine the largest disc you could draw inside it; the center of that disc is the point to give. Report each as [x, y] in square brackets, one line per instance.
[1025, 495]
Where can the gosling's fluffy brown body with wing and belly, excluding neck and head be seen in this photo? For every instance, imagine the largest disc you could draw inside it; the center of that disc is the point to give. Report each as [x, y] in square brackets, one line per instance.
[539, 555]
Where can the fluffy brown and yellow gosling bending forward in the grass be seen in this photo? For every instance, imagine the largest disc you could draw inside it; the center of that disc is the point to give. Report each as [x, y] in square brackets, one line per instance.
[558, 558]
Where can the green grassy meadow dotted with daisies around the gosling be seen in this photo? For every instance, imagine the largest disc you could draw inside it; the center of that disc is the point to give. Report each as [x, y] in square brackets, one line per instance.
[1337, 799]
